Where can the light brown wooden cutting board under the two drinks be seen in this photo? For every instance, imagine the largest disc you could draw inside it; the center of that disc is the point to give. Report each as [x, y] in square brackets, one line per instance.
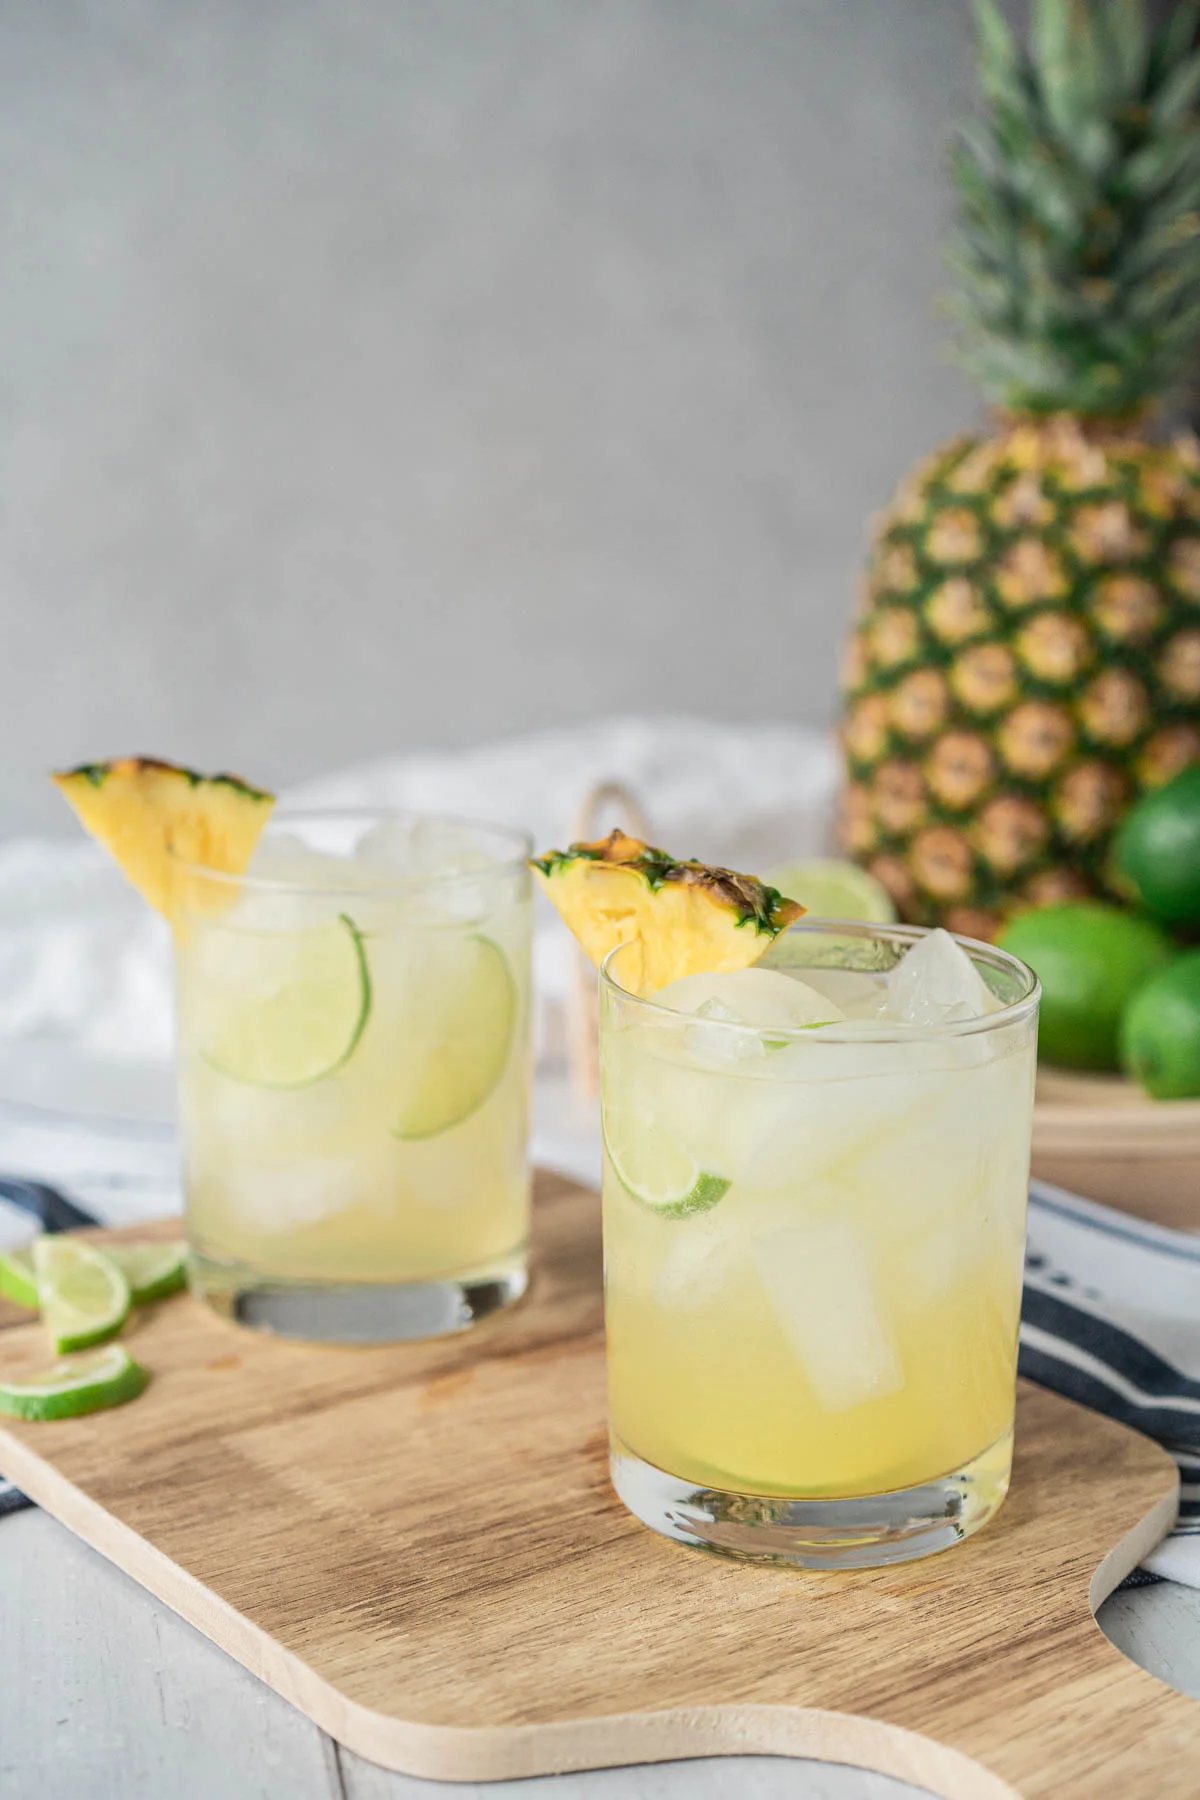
[420, 1551]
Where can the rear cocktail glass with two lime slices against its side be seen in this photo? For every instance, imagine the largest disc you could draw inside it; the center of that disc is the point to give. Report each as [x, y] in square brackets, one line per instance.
[354, 1025]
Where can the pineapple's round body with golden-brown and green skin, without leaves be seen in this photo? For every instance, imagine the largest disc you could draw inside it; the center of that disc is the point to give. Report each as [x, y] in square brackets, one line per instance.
[1025, 665]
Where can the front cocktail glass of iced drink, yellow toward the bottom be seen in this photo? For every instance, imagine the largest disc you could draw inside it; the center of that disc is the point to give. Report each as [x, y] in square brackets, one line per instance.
[814, 1248]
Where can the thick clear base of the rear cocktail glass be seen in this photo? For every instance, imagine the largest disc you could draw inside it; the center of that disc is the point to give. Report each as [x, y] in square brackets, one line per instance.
[355, 1313]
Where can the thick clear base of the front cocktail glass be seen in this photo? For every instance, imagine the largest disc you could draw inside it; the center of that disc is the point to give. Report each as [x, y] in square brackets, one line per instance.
[818, 1534]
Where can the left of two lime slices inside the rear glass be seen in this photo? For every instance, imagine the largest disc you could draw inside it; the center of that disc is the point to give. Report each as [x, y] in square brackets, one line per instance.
[289, 1009]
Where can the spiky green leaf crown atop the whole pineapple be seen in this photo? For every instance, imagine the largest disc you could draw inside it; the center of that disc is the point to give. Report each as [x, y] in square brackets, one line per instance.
[1079, 244]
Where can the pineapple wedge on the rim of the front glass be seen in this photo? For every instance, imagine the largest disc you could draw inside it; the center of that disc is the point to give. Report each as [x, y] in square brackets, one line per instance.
[683, 919]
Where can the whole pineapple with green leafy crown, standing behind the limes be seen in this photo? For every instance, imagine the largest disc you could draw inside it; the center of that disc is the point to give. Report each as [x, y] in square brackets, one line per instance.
[1028, 654]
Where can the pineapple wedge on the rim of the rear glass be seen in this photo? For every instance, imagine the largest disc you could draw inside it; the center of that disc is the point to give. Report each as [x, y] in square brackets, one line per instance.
[147, 814]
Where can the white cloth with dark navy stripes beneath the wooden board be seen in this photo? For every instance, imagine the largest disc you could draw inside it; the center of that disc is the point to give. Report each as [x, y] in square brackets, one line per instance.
[1111, 1313]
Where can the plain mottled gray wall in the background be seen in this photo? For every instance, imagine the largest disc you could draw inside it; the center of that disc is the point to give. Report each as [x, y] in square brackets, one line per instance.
[381, 373]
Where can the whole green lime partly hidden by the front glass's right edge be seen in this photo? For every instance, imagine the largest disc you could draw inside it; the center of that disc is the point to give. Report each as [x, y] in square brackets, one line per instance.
[1091, 958]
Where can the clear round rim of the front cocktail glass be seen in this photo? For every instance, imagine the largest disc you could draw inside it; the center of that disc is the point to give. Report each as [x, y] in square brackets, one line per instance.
[1014, 1014]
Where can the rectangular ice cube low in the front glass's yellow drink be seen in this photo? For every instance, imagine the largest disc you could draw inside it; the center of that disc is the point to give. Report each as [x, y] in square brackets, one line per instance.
[819, 1282]
